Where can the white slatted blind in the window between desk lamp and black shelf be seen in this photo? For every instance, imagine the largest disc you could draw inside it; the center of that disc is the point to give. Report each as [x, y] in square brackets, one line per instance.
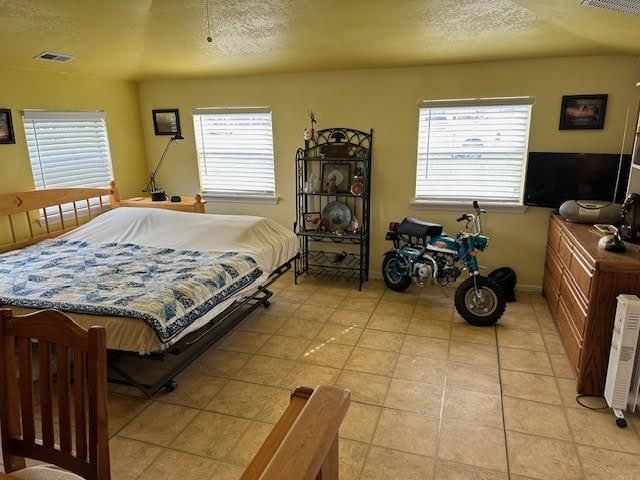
[235, 152]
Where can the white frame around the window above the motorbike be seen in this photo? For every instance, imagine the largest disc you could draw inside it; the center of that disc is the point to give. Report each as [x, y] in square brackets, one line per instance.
[450, 203]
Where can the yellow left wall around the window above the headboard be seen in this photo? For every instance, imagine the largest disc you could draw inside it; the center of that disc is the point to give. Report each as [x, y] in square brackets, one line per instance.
[22, 89]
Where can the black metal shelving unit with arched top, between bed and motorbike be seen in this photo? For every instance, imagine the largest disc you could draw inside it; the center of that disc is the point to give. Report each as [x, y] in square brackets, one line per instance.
[342, 255]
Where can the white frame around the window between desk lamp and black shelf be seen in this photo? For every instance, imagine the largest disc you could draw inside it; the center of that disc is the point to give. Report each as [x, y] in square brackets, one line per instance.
[239, 197]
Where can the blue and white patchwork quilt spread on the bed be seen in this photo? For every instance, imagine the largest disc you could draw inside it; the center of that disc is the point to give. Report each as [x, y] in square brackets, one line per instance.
[168, 289]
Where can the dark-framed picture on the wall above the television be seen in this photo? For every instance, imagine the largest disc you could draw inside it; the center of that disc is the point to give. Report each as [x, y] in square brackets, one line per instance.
[583, 112]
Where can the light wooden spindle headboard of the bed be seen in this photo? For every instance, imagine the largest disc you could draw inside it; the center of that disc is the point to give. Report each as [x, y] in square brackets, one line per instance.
[27, 221]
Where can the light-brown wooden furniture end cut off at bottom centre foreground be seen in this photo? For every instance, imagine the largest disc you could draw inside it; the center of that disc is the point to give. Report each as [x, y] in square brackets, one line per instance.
[303, 445]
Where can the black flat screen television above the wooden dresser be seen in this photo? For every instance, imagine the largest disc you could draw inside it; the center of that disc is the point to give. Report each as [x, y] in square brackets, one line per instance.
[553, 178]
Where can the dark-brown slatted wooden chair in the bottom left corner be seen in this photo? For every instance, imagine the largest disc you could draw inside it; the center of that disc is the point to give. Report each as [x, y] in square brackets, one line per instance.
[82, 446]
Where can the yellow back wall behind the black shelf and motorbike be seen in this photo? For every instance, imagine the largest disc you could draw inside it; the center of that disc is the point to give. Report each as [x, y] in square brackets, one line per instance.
[386, 100]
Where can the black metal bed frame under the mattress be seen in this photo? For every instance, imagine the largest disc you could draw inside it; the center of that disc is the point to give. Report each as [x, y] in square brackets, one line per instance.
[194, 344]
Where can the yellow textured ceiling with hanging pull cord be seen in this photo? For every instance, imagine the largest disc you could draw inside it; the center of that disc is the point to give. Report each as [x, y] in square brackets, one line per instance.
[166, 38]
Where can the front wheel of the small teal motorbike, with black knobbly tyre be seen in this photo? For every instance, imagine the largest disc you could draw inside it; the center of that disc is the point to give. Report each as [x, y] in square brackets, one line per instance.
[482, 307]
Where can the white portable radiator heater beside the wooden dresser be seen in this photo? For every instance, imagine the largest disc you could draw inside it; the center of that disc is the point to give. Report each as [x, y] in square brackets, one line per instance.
[622, 390]
